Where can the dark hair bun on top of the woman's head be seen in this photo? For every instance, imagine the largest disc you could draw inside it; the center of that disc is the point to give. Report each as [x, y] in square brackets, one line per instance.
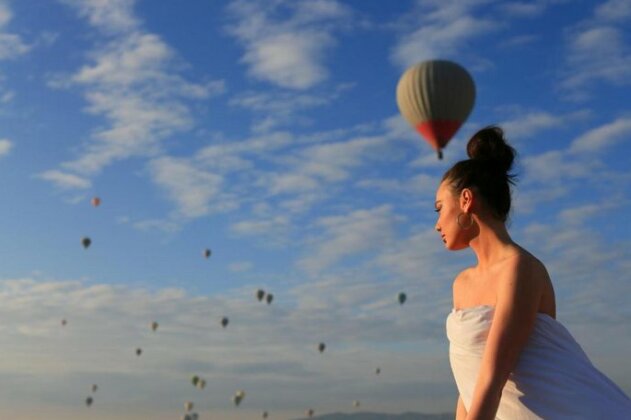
[489, 144]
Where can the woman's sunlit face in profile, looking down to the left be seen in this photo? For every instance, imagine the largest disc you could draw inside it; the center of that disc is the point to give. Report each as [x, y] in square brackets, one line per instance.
[448, 209]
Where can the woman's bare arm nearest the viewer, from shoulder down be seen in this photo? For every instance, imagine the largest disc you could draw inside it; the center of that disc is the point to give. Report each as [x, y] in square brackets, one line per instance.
[518, 297]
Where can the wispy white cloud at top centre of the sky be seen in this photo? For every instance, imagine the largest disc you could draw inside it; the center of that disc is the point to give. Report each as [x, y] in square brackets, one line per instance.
[289, 52]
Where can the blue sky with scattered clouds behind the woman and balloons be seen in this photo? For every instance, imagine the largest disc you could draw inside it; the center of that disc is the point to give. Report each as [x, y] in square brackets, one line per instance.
[269, 133]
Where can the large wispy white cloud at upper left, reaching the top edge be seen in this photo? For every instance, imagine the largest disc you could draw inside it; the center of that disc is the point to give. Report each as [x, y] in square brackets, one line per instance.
[133, 83]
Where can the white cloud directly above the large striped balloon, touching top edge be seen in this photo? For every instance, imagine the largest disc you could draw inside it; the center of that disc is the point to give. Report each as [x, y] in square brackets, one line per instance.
[439, 29]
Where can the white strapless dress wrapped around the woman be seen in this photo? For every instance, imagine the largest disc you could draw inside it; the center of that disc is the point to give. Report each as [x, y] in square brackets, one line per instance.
[553, 378]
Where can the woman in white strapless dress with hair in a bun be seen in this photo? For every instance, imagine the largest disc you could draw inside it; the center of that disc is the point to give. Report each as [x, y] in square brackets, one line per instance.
[511, 359]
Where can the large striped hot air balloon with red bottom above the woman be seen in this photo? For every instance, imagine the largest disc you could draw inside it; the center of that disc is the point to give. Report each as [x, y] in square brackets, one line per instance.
[436, 97]
